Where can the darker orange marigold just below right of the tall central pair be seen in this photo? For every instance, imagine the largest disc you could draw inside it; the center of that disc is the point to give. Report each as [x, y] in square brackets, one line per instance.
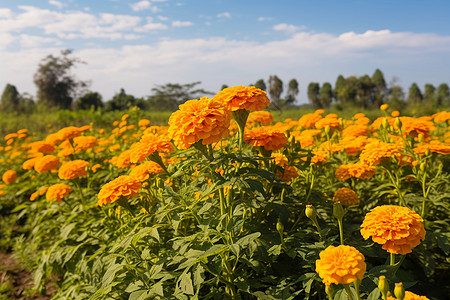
[268, 137]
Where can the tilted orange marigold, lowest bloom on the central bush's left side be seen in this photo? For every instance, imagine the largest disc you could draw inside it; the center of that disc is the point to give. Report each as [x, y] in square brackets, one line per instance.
[123, 186]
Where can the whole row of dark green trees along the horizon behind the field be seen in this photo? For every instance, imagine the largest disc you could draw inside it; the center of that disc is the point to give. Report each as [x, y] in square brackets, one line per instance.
[58, 88]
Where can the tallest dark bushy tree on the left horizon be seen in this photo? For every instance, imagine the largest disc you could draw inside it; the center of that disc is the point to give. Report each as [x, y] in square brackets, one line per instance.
[56, 86]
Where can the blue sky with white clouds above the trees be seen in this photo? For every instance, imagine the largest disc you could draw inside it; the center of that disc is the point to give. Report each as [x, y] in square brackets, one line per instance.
[137, 44]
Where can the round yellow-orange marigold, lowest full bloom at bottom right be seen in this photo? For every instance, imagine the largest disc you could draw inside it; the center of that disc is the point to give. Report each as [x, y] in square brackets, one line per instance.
[340, 265]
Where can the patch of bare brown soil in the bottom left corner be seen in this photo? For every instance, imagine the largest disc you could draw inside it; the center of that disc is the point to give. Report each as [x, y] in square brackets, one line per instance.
[16, 282]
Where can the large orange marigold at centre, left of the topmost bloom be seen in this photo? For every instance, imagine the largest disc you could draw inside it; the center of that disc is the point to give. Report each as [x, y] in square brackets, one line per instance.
[205, 120]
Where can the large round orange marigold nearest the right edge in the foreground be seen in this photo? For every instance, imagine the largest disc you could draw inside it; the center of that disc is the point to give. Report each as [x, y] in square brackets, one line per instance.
[397, 228]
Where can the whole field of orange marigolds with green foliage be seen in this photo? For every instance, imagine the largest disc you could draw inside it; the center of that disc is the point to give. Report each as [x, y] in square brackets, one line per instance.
[224, 203]
